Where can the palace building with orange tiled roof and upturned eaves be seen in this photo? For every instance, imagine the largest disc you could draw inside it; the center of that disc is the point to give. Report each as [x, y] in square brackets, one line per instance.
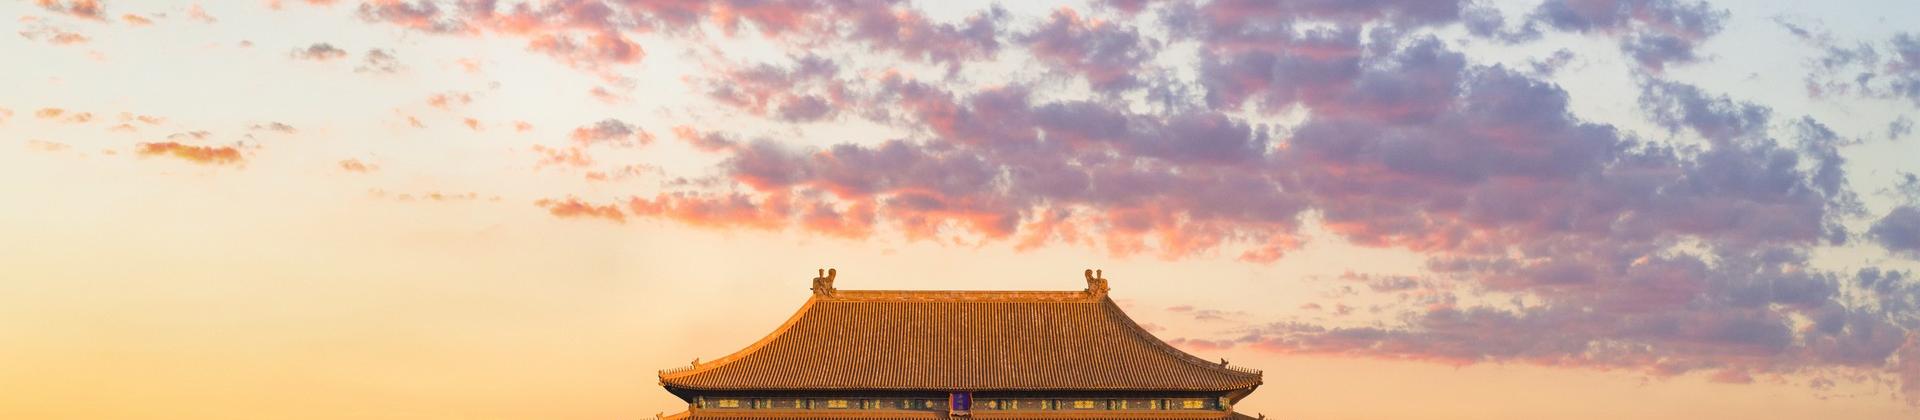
[886, 354]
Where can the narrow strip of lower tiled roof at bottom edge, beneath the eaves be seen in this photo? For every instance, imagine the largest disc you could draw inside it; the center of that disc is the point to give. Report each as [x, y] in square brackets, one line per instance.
[932, 415]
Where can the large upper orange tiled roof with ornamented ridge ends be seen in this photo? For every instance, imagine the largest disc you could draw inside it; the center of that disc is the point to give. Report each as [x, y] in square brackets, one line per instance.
[961, 342]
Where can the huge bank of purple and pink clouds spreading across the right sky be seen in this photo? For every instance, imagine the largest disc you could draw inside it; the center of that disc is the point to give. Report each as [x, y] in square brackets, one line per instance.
[1664, 256]
